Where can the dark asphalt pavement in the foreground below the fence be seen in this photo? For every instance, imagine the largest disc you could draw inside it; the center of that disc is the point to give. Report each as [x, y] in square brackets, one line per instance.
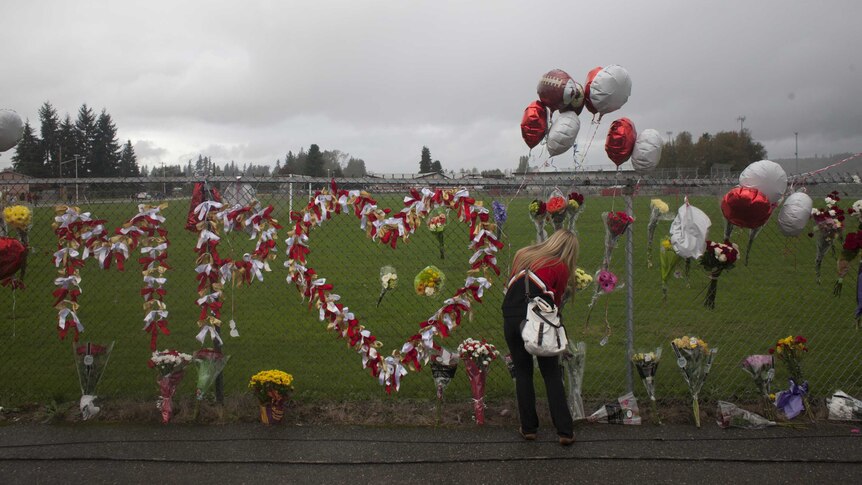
[251, 453]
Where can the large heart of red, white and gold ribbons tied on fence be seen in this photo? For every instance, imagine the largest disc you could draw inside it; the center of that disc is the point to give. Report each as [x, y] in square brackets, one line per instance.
[384, 227]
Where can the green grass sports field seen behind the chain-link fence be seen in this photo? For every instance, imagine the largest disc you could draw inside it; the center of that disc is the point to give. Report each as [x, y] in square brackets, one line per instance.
[773, 297]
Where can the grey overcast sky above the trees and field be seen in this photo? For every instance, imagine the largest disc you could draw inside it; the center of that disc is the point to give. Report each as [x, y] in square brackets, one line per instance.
[248, 81]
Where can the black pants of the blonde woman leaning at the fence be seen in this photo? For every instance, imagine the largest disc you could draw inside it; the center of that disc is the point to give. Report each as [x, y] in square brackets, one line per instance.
[524, 390]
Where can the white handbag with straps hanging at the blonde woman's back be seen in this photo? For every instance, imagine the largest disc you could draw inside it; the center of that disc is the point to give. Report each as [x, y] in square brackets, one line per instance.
[542, 330]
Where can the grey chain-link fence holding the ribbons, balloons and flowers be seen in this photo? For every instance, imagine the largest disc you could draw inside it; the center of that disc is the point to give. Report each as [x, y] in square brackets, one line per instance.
[774, 295]
